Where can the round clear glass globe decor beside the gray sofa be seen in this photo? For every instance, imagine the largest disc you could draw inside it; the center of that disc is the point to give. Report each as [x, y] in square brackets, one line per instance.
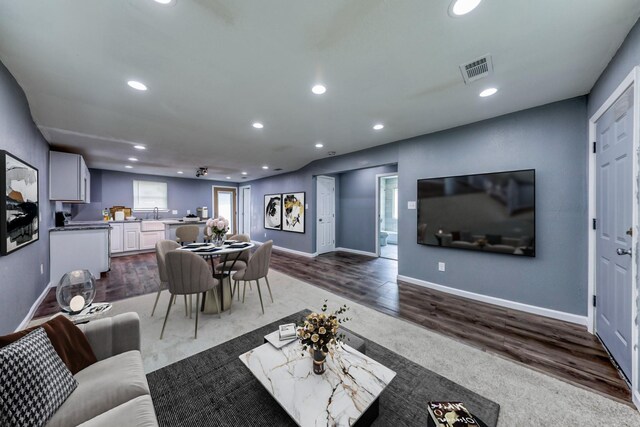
[76, 290]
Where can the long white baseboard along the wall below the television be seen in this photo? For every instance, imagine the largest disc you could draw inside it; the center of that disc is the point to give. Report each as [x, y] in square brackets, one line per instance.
[554, 314]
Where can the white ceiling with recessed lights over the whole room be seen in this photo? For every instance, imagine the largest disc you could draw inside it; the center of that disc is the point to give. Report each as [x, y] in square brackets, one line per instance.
[213, 67]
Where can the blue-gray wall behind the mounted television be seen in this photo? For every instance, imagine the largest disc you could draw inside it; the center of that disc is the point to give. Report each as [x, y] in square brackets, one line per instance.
[551, 140]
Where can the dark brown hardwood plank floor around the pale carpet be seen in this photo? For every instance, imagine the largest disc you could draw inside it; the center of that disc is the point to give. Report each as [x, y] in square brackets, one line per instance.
[563, 350]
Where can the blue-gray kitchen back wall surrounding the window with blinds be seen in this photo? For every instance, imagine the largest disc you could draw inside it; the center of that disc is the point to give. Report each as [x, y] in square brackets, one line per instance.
[113, 188]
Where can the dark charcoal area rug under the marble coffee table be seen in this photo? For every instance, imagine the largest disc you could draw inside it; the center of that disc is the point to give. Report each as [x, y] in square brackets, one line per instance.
[213, 388]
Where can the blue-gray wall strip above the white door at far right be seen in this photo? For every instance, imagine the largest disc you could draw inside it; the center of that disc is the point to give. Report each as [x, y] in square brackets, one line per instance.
[627, 57]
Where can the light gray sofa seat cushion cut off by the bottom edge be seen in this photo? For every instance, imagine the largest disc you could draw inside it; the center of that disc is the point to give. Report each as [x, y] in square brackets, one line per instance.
[137, 412]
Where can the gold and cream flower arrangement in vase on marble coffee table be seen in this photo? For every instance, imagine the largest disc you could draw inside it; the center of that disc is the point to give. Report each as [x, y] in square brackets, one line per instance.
[318, 333]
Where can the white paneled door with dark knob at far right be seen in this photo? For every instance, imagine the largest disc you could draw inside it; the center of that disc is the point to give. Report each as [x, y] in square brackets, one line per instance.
[614, 195]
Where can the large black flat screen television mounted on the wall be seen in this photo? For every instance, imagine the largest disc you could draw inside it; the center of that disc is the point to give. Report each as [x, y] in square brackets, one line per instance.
[489, 212]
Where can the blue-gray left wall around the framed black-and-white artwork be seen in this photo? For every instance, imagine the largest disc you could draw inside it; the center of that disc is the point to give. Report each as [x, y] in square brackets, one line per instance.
[20, 280]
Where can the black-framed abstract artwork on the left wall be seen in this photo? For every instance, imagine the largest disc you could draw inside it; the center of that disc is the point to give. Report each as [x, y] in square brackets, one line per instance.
[19, 205]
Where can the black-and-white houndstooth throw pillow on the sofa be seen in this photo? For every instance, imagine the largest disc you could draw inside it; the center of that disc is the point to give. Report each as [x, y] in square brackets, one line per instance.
[34, 381]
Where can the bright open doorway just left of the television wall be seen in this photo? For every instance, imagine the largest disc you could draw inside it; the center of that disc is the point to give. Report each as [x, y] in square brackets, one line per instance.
[387, 215]
